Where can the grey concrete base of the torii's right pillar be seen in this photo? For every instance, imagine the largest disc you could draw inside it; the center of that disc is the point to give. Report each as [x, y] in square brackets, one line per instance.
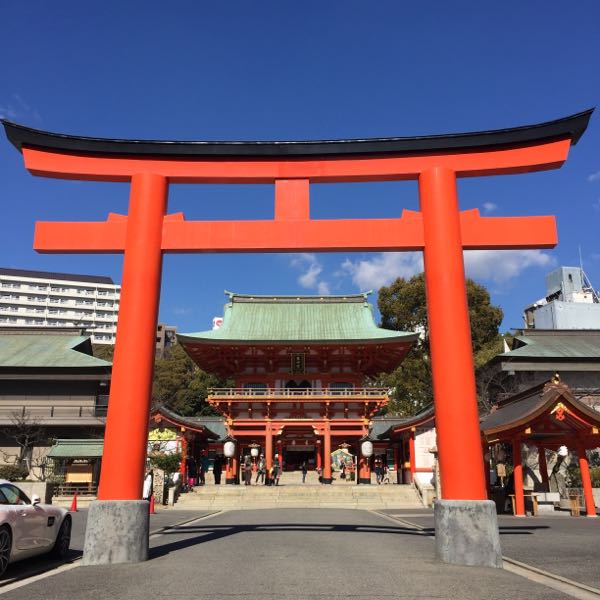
[466, 533]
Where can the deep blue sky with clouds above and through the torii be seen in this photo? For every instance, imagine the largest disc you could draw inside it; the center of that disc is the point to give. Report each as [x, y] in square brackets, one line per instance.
[301, 70]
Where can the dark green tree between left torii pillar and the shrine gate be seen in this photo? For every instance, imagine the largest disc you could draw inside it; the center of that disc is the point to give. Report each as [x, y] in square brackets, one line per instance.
[180, 385]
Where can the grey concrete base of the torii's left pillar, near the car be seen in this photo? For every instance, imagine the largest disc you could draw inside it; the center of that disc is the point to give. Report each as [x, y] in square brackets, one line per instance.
[117, 532]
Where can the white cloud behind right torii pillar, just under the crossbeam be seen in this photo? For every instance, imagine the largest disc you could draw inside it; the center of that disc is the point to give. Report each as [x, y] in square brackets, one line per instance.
[498, 266]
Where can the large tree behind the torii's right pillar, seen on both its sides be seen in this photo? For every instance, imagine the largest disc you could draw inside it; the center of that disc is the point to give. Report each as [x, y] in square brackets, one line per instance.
[403, 307]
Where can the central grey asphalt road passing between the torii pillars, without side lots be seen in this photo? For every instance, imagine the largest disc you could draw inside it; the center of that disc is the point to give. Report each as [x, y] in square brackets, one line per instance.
[287, 554]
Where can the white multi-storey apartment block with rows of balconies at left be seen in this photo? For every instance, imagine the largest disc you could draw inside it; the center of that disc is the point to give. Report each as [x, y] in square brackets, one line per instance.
[42, 299]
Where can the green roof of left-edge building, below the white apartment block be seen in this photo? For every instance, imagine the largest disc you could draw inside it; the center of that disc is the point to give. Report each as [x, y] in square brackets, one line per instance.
[38, 350]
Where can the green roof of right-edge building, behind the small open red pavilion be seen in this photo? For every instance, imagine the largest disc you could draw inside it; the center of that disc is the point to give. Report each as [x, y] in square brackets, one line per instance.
[557, 344]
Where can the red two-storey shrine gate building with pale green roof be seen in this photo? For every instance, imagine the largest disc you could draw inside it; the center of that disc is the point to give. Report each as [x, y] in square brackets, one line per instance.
[300, 367]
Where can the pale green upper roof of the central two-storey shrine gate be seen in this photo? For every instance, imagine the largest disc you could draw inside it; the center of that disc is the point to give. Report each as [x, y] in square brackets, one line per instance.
[298, 319]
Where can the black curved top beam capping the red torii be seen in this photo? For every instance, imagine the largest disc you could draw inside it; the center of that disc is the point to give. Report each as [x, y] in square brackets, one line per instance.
[571, 127]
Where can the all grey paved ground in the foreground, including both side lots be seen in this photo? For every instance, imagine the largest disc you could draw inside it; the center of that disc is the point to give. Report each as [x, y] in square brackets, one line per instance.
[315, 553]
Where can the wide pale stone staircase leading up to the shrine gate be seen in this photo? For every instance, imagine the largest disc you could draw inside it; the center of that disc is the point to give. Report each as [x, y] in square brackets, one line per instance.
[294, 494]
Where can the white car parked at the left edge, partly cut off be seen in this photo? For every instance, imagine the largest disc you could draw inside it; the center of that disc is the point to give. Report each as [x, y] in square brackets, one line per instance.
[28, 528]
